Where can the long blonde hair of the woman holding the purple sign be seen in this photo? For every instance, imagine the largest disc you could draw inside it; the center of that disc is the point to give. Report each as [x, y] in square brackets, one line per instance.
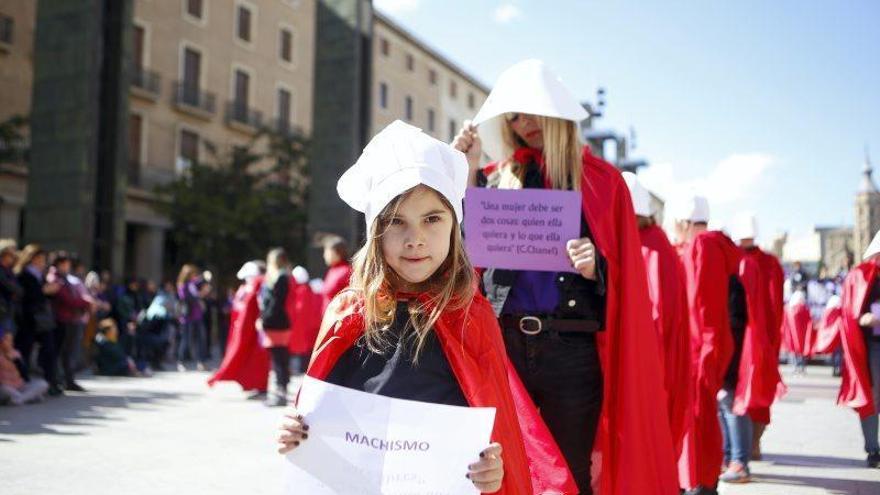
[562, 151]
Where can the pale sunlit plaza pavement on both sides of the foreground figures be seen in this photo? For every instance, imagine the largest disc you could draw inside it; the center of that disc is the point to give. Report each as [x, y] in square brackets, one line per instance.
[171, 434]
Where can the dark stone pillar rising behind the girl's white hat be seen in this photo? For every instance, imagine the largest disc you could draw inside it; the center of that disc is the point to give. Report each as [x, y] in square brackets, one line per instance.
[341, 116]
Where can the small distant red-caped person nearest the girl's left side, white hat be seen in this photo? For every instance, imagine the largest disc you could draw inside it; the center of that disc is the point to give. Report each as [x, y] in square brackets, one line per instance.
[304, 309]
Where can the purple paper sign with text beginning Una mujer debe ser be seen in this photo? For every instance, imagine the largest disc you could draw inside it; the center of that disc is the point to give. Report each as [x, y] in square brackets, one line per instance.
[523, 229]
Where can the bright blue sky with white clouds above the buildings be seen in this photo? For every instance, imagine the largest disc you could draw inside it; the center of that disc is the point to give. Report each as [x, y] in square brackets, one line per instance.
[765, 106]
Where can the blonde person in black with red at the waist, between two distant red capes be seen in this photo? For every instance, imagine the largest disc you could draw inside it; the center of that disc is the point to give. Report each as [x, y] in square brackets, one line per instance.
[274, 322]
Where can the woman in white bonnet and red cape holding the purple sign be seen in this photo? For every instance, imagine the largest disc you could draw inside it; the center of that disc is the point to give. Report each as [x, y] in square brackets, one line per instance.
[576, 339]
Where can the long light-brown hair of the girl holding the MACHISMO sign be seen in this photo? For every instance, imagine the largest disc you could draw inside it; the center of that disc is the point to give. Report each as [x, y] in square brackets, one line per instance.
[450, 287]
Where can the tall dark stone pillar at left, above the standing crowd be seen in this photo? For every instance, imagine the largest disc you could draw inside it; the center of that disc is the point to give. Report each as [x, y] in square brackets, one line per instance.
[79, 116]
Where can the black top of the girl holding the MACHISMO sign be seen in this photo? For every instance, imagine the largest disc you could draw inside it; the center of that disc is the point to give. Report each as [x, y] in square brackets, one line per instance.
[393, 373]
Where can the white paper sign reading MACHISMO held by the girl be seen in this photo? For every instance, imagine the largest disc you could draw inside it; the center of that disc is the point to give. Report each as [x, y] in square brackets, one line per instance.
[362, 443]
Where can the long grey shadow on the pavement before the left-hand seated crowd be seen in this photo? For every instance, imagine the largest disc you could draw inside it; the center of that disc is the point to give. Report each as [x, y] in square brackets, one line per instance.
[76, 410]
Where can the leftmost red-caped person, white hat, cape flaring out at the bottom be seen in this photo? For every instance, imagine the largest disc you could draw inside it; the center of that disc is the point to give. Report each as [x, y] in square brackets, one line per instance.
[245, 360]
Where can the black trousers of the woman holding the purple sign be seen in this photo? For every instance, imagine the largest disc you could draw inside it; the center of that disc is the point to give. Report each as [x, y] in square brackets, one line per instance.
[563, 375]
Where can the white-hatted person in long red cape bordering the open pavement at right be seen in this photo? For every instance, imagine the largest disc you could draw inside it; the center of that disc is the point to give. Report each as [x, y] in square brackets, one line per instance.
[765, 383]
